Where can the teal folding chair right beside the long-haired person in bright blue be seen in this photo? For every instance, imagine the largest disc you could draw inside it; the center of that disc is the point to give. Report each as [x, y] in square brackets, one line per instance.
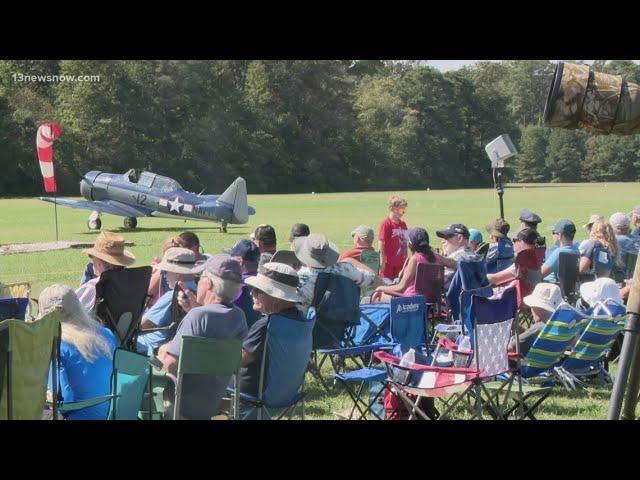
[128, 383]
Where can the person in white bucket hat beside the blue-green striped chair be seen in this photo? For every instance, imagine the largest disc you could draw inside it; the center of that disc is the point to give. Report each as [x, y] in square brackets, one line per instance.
[543, 301]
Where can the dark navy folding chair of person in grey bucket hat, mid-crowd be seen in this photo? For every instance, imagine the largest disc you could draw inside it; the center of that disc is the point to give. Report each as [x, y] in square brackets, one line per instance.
[336, 311]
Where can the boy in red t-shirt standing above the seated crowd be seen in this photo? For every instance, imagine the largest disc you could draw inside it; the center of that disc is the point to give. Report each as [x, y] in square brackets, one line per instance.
[393, 244]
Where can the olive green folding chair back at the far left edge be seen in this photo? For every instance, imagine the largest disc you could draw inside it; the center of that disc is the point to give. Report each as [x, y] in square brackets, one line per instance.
[27, 351]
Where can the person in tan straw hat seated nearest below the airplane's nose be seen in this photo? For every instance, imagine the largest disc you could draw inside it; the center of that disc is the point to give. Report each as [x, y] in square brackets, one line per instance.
[108, 253]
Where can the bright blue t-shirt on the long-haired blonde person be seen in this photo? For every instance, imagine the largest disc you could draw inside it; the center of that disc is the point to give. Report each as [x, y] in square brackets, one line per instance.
[80, 380]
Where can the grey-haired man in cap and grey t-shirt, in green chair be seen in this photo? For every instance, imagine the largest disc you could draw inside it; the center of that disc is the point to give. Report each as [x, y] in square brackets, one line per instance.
[210, 314]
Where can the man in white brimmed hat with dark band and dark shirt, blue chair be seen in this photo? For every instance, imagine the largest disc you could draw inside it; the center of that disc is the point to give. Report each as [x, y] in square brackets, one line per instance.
[274, 292]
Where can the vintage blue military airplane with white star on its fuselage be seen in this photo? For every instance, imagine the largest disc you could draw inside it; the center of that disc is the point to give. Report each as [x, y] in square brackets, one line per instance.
[152, 195]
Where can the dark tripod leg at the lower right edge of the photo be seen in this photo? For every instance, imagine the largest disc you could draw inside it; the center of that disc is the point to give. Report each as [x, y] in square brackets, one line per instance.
[628, 375]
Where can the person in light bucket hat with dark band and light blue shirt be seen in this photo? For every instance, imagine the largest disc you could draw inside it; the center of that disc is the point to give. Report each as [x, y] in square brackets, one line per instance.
[177, 263]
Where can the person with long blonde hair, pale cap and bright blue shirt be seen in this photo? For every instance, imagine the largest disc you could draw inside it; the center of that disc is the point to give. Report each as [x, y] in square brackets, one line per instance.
[86, 352]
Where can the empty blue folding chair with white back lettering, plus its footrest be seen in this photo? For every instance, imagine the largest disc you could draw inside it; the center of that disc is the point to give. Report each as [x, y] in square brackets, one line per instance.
[406, 330]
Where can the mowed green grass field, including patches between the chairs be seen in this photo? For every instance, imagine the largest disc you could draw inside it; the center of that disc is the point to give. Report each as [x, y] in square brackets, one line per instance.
[30, 220]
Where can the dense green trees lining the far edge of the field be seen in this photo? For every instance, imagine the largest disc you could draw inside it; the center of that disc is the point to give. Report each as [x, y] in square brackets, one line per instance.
[298, 126]
